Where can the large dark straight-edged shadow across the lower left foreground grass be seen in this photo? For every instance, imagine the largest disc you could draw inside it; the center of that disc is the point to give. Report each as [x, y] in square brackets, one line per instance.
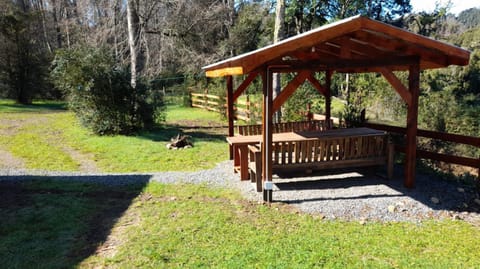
[57, 222]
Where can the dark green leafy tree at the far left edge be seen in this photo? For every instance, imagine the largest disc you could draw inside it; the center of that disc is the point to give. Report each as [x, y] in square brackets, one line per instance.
[24, 59]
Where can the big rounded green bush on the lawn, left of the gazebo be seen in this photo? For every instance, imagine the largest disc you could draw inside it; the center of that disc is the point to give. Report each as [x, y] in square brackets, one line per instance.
[99, 92]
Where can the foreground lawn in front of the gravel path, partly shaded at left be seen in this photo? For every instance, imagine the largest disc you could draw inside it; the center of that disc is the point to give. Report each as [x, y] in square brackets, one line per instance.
[58, 224]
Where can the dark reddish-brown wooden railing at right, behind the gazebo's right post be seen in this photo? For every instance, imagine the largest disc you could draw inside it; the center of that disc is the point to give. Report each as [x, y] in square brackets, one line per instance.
[455, 138]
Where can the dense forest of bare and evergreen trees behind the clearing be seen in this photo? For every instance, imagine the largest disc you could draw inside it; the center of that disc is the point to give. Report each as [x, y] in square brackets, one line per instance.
[165, 43]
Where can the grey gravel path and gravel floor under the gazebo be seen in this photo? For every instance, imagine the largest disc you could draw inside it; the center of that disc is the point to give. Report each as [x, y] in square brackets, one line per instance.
[344, 195]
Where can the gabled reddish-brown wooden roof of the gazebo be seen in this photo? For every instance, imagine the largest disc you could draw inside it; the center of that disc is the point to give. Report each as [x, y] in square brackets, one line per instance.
[355, 44]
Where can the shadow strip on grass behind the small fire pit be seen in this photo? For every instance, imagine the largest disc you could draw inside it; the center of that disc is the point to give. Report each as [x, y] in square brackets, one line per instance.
[167, 132]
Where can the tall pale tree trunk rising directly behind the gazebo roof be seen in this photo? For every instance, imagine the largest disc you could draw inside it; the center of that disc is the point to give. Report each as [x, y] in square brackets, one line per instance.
[278, 34]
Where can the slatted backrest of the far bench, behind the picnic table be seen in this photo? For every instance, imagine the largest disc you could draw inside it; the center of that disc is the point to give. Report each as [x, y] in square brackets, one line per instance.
[284, 127]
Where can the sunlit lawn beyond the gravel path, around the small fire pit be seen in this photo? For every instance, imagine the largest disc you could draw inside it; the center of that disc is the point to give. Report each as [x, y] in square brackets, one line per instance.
[44, 136]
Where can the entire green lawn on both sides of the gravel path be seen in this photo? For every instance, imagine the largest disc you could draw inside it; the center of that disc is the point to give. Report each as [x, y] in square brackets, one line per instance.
[57, 223]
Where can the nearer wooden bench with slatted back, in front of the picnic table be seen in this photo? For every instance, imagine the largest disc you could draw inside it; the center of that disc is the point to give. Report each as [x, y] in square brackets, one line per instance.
[323, 153]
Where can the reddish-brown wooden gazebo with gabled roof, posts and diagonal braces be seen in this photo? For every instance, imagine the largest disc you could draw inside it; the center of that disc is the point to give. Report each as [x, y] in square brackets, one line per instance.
[353, 45]
